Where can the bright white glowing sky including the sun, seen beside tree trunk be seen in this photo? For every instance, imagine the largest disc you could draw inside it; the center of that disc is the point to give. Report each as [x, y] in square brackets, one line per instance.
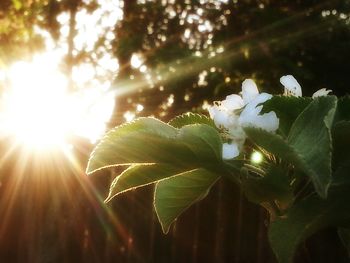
[35, 104]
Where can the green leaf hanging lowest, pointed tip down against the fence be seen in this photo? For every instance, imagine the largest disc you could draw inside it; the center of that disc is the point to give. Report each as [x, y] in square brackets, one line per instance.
[175, 194]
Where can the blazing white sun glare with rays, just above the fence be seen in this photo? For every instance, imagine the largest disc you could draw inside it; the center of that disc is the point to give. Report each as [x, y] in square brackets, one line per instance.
[38, 109]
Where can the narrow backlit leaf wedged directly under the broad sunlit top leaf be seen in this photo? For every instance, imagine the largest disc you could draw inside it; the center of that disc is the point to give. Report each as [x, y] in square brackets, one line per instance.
[140, 175]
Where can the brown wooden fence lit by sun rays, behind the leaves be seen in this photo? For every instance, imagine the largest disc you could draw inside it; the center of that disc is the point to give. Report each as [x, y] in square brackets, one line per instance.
[52, 212]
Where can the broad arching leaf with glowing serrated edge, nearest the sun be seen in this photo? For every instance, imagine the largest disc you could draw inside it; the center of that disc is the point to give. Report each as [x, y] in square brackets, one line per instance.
[147, 141]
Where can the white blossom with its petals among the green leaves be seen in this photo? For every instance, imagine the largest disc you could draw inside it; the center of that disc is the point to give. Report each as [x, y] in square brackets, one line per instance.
[244, 110]
